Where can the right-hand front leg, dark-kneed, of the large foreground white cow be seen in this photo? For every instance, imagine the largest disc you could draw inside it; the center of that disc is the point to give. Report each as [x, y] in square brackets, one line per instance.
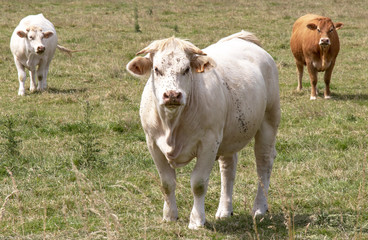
[199, 183]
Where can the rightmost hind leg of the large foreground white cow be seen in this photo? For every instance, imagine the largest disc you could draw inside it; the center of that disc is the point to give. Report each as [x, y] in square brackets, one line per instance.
[265, 153]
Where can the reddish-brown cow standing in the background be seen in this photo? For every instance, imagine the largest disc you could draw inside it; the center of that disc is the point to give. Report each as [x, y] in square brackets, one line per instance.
[315, 43]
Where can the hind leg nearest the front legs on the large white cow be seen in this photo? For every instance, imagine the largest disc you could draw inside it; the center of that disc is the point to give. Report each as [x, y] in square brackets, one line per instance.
[228, 170]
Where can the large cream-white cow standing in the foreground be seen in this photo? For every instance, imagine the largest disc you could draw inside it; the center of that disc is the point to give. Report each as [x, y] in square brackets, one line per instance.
[209, 104]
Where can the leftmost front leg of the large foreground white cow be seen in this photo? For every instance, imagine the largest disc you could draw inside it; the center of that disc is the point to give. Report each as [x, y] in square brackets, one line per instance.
[168, 182]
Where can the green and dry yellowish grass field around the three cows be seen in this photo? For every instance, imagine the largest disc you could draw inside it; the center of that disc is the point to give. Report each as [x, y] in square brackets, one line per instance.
[73, 160]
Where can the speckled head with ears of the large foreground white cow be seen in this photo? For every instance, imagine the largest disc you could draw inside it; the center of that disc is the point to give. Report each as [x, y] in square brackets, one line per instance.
[171, 63]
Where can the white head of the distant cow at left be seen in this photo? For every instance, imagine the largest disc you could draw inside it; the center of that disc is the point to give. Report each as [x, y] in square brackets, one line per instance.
[35, 38]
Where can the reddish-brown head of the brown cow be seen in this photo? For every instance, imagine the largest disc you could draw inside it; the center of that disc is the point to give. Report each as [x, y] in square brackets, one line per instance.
[326, 30]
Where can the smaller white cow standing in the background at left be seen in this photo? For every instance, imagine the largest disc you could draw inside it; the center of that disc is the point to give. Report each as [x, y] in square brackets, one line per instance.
[33, 45]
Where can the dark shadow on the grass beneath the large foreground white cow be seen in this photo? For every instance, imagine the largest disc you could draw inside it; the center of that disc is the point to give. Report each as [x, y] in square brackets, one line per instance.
[243, 225]
